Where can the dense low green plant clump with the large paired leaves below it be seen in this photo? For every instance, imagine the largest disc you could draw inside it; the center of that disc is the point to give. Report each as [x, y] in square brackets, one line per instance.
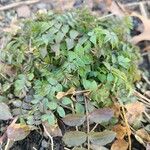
[55, 61]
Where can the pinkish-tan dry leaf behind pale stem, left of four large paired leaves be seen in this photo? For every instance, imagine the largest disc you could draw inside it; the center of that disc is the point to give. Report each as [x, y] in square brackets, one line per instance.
[53, 130]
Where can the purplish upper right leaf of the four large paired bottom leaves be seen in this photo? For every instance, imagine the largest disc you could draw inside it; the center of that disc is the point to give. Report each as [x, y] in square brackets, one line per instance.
[101, 115]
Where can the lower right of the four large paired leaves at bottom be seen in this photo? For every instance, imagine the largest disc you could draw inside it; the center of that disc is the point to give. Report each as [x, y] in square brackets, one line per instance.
[102, 138]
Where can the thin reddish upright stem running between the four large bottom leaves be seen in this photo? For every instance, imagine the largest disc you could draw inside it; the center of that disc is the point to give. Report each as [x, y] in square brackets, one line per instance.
[87, 121]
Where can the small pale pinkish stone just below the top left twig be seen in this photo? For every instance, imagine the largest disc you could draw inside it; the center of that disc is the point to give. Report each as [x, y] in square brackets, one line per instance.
[23, 11]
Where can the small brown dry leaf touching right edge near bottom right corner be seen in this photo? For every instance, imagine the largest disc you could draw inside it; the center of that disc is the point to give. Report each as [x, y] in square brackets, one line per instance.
[142, 133]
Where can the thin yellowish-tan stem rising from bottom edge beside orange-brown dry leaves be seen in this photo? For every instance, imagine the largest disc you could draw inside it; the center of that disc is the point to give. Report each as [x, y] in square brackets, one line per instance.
[126, 122]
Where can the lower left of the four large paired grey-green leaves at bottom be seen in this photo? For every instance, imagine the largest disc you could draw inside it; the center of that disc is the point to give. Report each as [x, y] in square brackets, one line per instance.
[74, 138]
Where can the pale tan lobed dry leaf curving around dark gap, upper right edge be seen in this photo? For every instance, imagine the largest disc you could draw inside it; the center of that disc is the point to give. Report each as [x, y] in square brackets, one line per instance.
[145, 35]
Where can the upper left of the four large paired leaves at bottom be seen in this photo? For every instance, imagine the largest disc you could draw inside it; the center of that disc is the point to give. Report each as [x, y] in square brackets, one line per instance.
[74, 119]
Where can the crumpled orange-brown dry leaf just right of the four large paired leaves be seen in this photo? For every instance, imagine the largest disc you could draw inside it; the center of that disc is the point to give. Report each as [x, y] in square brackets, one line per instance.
[120, 130]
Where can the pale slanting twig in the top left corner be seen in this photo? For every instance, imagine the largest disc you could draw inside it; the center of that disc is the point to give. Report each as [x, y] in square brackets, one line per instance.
[16, 4]
